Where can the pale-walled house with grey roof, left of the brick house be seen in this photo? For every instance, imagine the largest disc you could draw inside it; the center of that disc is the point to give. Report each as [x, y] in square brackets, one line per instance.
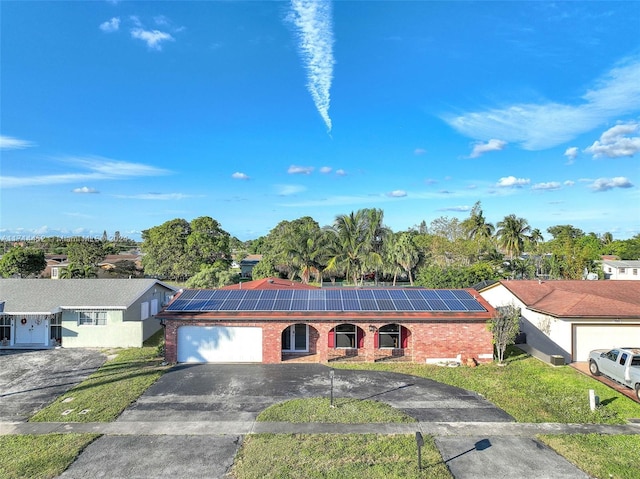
[80, 312]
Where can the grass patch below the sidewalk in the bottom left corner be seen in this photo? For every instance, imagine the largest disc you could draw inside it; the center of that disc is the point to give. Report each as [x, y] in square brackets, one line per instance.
[40, 457]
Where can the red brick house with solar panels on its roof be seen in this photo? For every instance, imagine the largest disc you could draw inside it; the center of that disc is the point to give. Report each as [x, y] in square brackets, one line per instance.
[320, 325]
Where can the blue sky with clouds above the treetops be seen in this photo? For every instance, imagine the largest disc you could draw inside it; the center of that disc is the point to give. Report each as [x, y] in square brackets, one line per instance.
[119, 116]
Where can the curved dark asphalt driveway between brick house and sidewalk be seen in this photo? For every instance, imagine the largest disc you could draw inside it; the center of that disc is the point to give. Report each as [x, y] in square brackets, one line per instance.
[235, 392]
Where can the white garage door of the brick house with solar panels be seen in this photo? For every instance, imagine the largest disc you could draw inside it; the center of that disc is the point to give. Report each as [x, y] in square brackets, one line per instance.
[219, 344]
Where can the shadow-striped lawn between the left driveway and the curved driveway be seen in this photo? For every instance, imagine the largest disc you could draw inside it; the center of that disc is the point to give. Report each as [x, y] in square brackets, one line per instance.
[107, 392]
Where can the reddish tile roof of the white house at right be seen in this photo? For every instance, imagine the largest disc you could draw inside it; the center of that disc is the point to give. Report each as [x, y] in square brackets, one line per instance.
[588, 299]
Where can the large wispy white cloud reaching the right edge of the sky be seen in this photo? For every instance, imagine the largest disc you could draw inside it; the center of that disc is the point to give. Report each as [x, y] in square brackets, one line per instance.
[545, 125]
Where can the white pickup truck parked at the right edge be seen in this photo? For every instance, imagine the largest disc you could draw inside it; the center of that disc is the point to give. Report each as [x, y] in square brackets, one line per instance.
[622, 365]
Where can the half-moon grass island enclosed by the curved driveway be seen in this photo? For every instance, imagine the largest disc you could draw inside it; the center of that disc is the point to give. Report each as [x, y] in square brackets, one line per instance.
[345, 410]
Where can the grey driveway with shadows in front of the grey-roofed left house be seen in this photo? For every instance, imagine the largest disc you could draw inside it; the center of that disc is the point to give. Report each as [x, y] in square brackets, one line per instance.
[29, 380]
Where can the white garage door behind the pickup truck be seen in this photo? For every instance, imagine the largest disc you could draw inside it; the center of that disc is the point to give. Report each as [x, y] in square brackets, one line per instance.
[599, 336]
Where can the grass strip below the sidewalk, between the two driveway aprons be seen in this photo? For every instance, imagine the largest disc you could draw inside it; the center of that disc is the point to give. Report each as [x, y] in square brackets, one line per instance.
[353, 456]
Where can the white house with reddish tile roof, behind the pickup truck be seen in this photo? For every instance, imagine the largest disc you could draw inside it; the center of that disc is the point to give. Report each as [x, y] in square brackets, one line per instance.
[571, 318]
